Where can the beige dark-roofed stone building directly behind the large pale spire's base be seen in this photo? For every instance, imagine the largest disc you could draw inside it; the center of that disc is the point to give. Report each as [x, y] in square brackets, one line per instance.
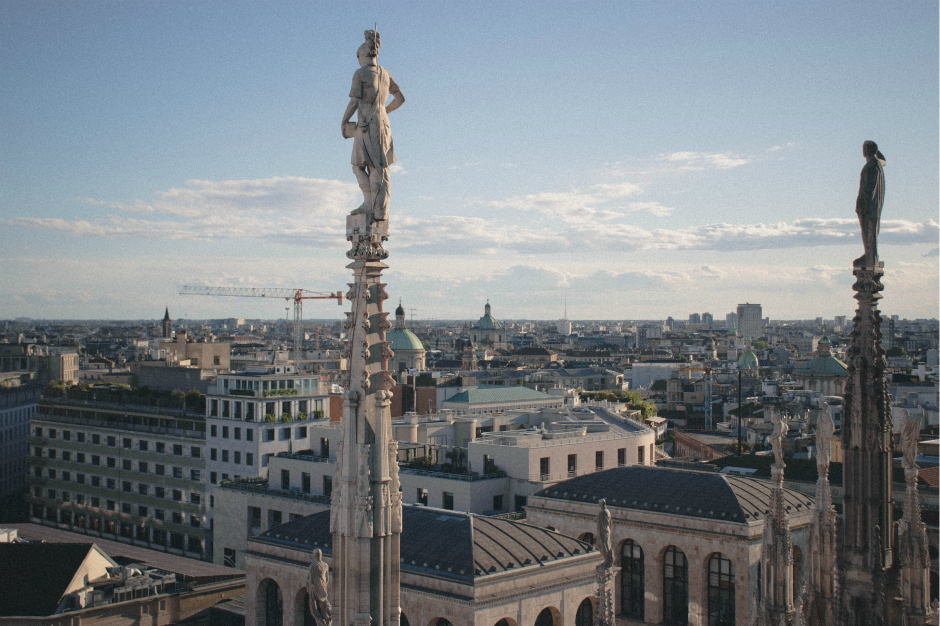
[456, 569]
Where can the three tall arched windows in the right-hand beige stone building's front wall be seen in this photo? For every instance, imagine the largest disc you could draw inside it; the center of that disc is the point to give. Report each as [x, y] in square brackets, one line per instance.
[675, 570]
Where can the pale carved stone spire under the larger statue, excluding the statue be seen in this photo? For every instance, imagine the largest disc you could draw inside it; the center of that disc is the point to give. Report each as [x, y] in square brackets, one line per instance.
[365, 516]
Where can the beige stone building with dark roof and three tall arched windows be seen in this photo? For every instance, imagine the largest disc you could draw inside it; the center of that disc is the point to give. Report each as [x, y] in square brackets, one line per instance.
[688, 543]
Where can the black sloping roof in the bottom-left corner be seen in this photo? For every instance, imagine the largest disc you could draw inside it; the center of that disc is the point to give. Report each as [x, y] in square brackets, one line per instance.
[43, 571]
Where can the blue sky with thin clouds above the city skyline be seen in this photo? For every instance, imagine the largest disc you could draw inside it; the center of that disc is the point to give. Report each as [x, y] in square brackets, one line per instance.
[637, 159]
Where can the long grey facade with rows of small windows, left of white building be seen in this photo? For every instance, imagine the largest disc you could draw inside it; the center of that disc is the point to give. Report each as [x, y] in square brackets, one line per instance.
[125, 475]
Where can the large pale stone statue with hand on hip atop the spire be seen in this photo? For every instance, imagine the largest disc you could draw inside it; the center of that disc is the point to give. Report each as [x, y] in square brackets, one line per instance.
[373, 150]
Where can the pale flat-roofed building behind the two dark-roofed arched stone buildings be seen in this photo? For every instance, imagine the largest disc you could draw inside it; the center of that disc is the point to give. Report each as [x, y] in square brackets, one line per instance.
[509, 457]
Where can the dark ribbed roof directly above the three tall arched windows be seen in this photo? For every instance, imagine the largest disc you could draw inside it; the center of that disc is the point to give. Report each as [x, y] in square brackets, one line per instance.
[736, 499]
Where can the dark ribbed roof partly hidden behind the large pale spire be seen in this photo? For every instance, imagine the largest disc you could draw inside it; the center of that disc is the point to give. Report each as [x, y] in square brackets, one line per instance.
[447, 544]
